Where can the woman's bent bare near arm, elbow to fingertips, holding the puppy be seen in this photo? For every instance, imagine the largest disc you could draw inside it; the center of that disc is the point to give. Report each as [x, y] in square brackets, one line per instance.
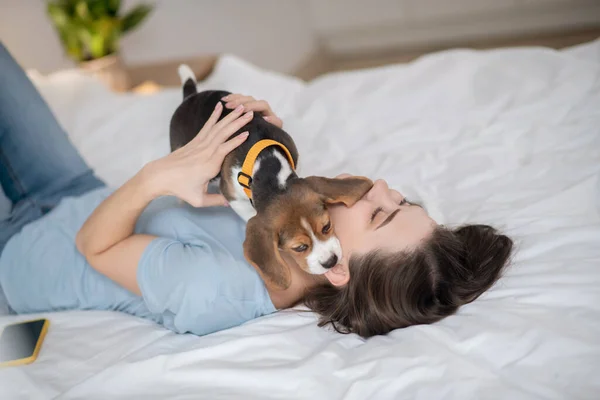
[106, 239]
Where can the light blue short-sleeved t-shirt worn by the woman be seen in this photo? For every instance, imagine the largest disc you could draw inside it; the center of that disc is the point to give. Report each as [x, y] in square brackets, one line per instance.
[193, 277]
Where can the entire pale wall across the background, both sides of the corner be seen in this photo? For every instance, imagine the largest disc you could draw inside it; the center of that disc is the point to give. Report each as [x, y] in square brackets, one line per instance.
[282, 34]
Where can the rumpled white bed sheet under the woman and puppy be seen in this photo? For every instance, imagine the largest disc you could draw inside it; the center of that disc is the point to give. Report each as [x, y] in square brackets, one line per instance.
[508, 137]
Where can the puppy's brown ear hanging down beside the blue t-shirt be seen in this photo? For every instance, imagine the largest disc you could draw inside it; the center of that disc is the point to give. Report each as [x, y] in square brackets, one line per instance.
[262, 251]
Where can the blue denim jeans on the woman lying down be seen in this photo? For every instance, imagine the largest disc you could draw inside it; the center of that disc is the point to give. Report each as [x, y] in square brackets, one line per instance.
[38, 163]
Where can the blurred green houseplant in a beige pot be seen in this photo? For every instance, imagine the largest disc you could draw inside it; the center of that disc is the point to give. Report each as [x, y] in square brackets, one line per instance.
[90, 31]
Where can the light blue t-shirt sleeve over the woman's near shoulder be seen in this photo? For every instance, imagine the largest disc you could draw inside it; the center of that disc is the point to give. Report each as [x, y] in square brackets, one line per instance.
[204, 286]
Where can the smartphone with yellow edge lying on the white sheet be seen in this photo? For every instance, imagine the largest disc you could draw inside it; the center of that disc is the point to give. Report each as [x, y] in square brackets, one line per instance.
[20, 343]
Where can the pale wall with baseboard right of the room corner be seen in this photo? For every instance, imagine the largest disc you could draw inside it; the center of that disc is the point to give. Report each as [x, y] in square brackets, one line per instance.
[350, 26]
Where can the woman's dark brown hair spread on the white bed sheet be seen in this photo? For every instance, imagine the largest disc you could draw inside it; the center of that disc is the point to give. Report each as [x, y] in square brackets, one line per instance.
[387, 291]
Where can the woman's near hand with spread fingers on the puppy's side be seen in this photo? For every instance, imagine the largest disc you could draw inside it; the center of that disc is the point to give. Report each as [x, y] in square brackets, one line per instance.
[186, 172]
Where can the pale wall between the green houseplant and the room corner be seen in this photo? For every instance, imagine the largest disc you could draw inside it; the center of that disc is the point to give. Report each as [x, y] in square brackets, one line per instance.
[270, 33]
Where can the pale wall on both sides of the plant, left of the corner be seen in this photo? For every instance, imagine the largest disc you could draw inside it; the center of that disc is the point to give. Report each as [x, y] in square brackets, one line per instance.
[270, 33]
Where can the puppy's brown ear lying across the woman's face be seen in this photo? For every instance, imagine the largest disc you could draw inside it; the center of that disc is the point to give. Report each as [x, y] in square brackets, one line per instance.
[345, 190]
